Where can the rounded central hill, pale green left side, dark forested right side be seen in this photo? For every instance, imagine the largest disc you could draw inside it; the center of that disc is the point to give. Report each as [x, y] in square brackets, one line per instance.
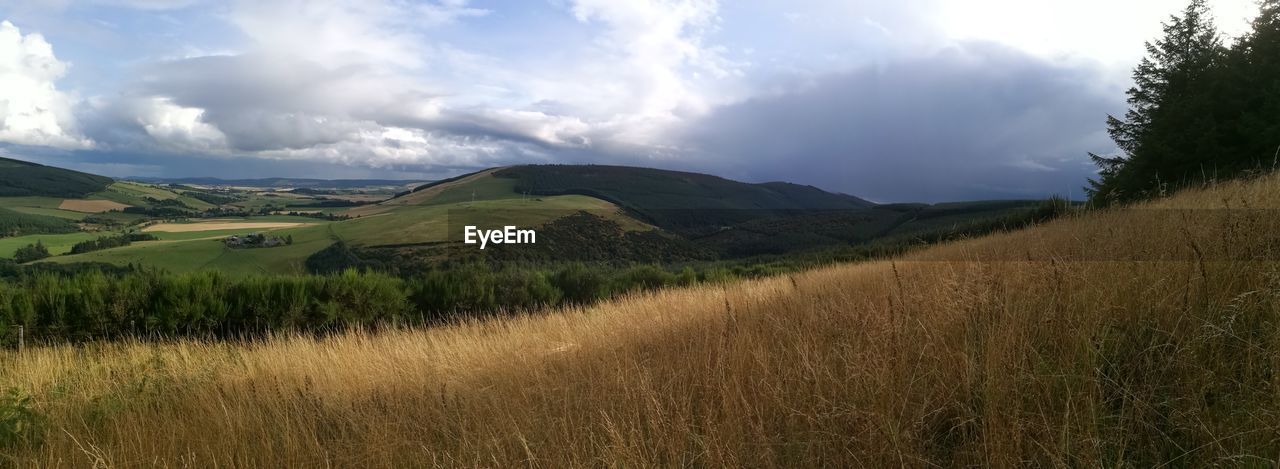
[700, 217]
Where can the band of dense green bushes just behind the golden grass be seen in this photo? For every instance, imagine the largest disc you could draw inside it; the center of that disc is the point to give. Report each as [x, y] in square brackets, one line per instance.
[92, 304]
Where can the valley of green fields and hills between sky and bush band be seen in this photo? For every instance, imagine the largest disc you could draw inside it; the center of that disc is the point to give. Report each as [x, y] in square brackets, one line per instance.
[724, 220]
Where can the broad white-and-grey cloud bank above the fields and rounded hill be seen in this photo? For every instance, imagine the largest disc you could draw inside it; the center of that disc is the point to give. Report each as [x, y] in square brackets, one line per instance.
[333, 80]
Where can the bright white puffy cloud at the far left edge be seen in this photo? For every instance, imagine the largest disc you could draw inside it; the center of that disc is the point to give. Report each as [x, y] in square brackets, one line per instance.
[33, 111]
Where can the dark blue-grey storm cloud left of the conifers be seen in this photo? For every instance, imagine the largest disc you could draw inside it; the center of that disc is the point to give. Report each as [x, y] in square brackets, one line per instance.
[976, 121]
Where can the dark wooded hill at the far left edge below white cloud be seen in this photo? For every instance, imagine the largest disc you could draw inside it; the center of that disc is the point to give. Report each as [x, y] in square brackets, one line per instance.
[22, 179]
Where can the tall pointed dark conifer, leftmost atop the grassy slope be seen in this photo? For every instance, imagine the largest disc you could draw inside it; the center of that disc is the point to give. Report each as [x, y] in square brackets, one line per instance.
[1167, 99]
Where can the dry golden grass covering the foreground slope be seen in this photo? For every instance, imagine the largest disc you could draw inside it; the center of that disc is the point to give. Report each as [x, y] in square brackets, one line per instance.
[1130, 338]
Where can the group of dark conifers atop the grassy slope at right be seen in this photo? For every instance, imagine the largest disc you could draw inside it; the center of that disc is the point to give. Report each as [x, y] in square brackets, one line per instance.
[1200, 110]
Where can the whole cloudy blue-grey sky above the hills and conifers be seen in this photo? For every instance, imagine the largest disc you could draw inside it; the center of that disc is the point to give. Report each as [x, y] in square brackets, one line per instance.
[907, 101]
